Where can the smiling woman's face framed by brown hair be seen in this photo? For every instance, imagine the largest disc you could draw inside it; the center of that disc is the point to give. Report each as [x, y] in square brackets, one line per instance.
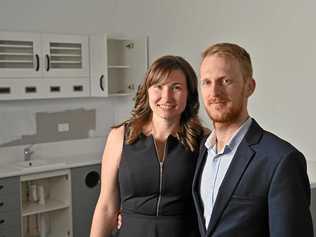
[168, 98]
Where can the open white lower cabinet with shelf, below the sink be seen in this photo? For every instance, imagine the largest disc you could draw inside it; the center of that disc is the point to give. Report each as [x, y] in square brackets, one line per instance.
[46, 204]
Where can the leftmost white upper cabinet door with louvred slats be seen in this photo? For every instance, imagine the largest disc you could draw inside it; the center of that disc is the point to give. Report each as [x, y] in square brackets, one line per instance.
[20, 55]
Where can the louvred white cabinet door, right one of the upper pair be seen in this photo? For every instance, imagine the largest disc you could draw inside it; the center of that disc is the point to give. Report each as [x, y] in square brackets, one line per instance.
[65, 56]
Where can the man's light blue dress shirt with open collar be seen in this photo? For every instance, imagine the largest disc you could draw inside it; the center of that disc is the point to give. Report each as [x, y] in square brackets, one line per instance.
[216, 166]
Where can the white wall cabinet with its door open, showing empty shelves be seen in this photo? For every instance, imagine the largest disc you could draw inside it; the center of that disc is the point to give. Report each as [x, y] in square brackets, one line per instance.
[118, 64]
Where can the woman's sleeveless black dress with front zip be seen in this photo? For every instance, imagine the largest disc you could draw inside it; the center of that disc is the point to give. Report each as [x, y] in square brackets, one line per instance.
[156, 197]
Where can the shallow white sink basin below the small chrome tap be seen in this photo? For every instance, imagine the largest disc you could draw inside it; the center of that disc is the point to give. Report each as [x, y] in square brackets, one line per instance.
[38, 164]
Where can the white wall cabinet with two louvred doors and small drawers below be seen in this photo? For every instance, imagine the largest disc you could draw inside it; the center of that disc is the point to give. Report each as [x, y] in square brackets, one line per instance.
[34, 65]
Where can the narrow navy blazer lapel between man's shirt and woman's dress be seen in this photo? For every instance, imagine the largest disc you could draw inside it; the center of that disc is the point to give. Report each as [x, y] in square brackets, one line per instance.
[196, 186]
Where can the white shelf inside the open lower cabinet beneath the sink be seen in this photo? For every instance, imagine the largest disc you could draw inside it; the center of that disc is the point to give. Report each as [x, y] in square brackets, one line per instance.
[36, 208]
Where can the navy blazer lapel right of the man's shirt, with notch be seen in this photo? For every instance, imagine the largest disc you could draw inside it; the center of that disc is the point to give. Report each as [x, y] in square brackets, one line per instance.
[234, 173]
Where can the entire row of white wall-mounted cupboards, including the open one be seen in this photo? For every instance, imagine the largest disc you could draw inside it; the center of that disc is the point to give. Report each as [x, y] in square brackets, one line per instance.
[41, 65]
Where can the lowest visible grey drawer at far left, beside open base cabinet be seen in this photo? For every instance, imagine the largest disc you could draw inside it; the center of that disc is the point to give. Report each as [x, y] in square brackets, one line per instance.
[9, 221]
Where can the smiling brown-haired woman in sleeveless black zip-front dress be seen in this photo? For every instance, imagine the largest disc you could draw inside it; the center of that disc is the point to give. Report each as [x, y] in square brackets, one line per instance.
[149, 160]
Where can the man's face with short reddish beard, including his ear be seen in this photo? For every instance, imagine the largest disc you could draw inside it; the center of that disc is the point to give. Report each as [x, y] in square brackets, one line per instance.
[224, 90]
